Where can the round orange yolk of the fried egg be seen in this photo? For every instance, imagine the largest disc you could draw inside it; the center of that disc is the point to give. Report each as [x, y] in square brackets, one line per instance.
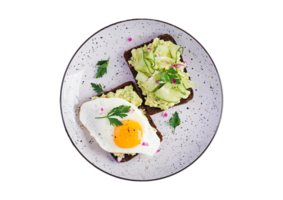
[128, 135]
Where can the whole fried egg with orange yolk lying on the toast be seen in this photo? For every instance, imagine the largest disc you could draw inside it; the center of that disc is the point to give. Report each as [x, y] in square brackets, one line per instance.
[135, 135]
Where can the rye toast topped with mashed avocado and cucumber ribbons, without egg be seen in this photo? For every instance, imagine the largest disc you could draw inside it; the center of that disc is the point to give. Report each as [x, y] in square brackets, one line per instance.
[187, 92]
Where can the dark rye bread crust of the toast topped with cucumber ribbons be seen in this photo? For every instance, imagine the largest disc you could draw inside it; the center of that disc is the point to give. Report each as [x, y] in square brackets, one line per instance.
[128, 55]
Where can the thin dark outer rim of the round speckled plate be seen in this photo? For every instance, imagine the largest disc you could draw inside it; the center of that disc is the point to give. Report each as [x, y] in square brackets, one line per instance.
[122, 178]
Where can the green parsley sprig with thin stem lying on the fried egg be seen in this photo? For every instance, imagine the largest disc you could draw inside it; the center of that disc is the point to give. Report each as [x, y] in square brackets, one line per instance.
[118, 111]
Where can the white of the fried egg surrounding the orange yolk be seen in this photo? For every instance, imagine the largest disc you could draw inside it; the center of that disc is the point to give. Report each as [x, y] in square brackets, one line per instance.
[103, 132]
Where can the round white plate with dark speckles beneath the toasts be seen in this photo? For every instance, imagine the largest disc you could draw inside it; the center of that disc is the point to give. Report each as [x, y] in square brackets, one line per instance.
[201, 117]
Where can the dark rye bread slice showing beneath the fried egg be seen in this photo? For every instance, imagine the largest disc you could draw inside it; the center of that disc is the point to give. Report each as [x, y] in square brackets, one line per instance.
[129, 157]
